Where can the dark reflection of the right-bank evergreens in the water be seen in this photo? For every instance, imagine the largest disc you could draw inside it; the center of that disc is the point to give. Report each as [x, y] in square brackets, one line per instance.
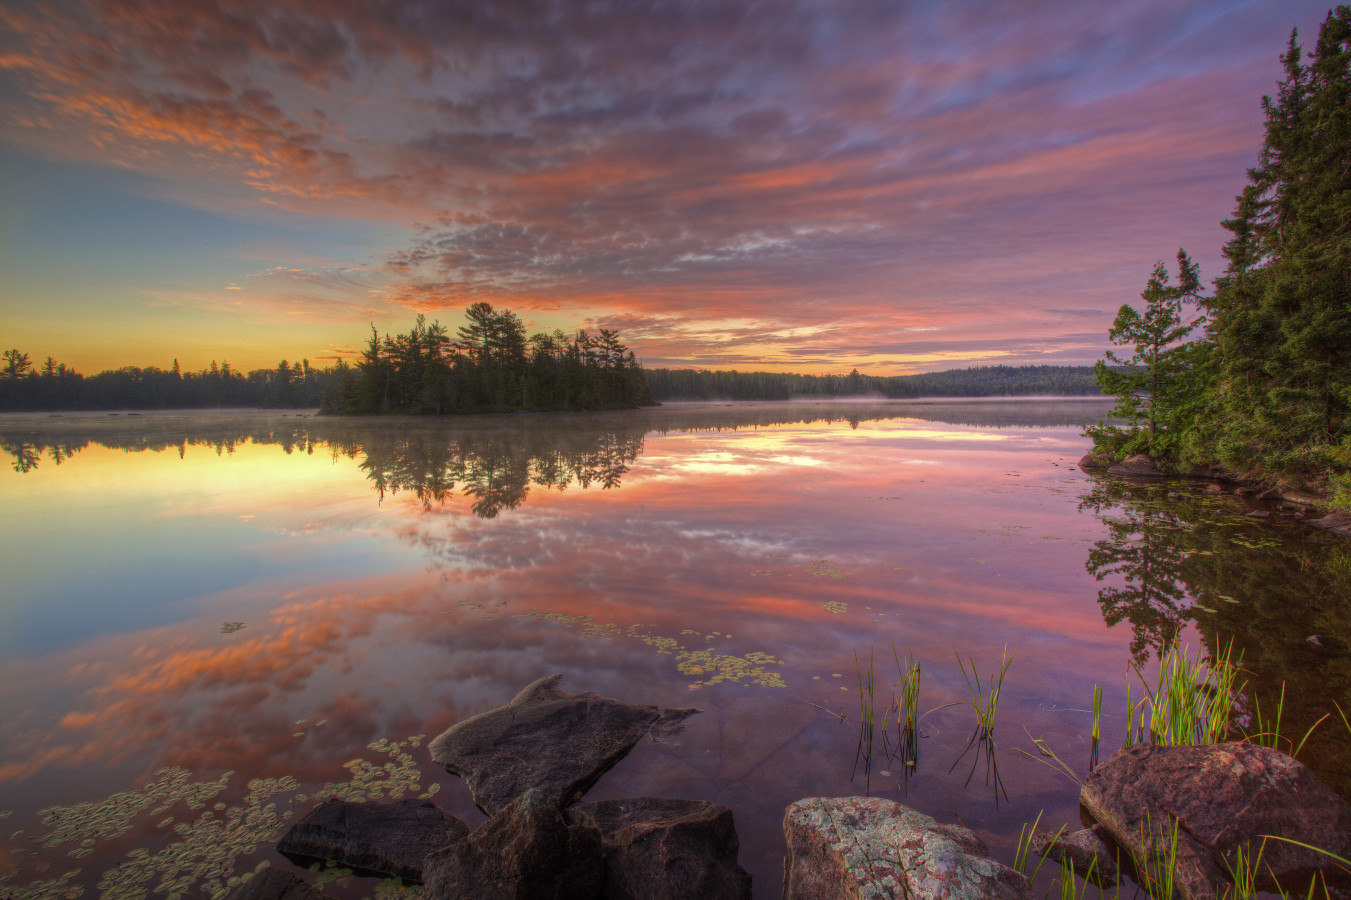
[1267, 587]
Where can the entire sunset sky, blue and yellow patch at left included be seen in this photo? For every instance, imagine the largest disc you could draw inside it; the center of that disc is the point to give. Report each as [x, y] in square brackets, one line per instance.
[792, 186]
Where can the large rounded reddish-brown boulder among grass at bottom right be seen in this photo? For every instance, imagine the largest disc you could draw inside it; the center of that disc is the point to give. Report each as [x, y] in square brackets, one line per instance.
[1223, 797]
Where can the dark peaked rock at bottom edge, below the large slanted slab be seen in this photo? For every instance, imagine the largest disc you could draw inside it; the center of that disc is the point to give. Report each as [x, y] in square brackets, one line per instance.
[526, 852]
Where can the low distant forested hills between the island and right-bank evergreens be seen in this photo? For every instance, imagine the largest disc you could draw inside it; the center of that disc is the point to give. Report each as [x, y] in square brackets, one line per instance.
[979, 382]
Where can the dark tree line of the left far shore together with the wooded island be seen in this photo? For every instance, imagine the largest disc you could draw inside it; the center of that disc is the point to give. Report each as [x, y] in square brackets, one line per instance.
[490, 368]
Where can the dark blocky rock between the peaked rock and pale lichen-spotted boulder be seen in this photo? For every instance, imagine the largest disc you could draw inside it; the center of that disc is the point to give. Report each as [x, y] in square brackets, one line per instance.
[659, 849]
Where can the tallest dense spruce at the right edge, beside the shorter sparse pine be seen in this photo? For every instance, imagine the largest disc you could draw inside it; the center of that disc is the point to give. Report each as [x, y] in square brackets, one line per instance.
[1281, 314]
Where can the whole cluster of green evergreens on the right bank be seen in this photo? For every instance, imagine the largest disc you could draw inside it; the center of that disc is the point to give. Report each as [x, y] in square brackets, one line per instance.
[1256, 378]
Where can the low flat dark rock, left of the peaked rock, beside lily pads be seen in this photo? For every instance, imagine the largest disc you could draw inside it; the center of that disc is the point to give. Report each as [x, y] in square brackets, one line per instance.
[380, 839]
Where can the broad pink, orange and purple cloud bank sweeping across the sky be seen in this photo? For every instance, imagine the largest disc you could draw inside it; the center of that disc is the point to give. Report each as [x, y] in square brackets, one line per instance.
[856, 166]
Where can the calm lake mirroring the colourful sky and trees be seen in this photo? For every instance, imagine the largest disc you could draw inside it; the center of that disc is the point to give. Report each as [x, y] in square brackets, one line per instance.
[211, 620]
